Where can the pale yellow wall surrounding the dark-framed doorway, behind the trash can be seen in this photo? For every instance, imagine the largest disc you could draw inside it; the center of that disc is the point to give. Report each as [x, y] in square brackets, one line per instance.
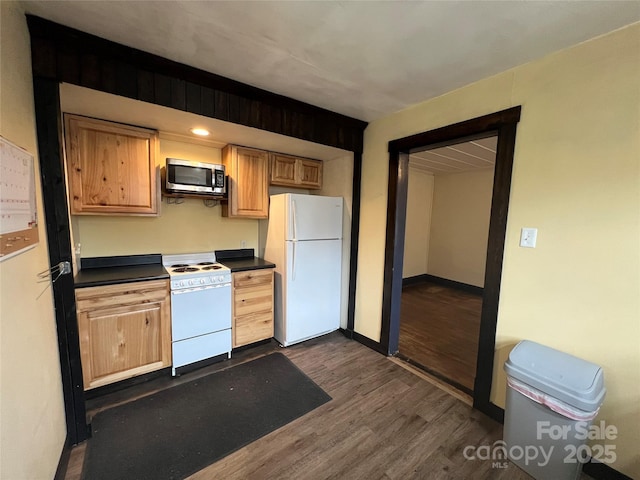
[575, 178]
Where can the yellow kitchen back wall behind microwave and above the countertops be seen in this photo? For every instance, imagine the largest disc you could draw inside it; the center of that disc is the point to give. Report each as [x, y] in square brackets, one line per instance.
[184, 228]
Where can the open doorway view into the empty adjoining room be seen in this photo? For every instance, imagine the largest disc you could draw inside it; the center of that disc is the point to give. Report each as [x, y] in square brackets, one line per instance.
[447, 225]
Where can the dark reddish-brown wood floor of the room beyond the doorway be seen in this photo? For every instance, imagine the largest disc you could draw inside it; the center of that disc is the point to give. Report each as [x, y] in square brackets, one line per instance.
[439, 328]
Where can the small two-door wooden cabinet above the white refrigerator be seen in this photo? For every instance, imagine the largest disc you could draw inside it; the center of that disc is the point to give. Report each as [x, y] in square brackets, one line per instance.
[290, 171]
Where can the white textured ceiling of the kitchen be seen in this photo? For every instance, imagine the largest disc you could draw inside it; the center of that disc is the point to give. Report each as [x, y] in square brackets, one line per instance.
[365, 59]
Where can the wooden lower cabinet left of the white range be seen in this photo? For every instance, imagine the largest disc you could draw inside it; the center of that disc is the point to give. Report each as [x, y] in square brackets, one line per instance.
[125, 330]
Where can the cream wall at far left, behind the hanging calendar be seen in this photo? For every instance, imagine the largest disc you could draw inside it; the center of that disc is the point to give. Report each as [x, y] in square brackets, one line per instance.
[32, 422]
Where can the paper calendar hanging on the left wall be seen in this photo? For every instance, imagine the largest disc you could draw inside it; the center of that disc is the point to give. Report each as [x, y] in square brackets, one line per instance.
[18, 215]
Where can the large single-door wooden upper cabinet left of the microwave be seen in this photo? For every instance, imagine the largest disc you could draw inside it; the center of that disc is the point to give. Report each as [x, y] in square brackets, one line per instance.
[111, 167]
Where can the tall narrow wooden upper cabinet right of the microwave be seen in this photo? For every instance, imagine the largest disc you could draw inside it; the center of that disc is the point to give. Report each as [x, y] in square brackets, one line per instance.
[248, 186]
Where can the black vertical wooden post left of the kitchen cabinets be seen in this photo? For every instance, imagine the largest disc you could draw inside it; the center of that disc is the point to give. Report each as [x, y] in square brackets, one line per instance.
[48, 122]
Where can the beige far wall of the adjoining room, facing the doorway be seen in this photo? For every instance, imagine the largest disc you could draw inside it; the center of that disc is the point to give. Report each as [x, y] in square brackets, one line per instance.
[460, 226]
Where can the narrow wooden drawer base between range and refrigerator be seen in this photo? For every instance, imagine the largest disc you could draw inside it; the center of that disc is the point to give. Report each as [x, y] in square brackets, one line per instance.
[252, 306]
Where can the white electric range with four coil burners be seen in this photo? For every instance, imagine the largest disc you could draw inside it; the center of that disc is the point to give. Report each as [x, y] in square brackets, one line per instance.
[200, 308]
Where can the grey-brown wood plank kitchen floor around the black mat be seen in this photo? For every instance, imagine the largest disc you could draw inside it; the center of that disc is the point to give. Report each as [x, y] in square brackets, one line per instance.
[383, 422]
